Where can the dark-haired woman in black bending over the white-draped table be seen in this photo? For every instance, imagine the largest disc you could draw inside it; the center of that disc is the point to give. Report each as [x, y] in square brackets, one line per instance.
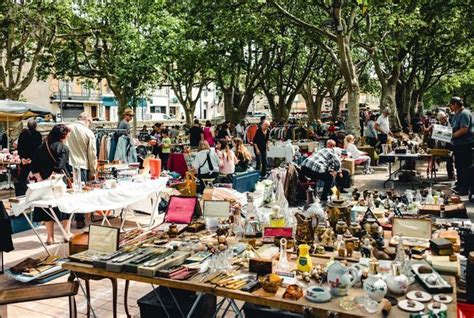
[51, 157]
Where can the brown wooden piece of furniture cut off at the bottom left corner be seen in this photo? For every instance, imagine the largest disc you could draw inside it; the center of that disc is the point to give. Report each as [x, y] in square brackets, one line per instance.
[48, 291]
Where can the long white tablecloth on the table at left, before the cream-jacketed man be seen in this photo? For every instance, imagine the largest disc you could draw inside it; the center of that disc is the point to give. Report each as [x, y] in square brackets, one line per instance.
[134, 195]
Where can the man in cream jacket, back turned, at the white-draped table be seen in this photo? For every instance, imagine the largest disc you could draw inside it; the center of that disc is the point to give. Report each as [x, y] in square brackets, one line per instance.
[82, 152]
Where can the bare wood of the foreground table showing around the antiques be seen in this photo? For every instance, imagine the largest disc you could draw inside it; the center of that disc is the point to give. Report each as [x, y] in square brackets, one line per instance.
[260, 297]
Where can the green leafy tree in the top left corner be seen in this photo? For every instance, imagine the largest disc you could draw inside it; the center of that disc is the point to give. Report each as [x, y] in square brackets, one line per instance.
[27, 31]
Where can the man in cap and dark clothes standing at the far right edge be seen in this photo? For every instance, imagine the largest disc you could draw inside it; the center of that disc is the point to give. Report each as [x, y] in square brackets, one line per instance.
[461, 140]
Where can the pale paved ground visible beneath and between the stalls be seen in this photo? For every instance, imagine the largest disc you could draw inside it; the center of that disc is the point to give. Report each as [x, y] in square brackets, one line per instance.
[26, 245]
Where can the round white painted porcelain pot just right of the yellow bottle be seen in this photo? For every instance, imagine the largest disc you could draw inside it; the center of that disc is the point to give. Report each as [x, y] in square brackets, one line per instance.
[341, 278]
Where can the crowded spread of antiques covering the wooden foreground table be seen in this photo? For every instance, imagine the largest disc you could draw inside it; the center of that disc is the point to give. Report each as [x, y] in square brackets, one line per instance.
[358, 242]
